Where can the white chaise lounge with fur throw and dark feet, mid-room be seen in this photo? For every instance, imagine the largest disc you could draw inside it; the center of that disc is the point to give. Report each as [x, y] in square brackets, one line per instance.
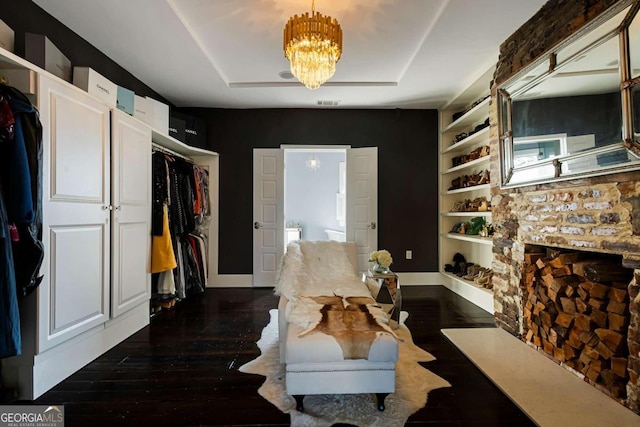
[315, 362]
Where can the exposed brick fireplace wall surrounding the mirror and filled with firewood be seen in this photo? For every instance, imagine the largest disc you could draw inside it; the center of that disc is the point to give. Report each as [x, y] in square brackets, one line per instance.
[595, 215]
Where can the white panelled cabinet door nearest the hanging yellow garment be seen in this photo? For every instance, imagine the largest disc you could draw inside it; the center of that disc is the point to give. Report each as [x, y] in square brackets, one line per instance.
[131, 225]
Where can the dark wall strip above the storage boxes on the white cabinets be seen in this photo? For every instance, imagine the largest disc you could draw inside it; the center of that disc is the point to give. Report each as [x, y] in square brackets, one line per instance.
[24, 16]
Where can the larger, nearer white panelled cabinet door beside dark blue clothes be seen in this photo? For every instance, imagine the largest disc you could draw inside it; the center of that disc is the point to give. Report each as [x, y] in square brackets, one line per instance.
[74, 294]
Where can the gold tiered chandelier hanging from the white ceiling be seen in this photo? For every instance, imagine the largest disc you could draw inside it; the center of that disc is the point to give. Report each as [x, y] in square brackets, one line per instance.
[313, 45]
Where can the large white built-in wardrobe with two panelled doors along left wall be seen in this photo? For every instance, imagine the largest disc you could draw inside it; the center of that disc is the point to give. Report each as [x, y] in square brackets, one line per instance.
[96, 233]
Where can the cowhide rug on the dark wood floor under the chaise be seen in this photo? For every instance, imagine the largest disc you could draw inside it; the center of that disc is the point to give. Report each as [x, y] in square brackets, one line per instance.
[413, 383]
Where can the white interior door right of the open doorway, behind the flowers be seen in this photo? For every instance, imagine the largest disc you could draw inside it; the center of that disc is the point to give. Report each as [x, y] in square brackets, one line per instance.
[362, 202]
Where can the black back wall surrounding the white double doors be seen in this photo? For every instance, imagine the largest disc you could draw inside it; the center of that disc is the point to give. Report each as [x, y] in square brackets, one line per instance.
[407, 142]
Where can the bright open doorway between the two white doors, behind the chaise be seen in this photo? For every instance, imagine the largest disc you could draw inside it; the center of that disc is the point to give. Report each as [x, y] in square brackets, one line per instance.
[315, 194]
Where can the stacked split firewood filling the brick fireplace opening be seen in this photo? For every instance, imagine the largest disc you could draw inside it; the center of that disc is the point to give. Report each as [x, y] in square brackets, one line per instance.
[577, 312]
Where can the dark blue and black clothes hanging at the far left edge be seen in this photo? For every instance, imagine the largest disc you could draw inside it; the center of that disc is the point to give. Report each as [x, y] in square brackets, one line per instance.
[21, 249]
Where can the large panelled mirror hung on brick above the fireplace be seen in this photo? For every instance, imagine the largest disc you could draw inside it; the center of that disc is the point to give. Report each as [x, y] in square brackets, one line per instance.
[575, 112]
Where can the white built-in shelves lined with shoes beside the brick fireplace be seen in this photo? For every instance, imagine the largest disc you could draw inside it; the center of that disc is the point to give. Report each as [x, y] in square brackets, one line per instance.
[453, 143]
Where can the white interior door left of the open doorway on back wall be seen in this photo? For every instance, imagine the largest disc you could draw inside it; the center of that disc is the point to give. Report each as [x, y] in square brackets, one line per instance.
[268, 214]
